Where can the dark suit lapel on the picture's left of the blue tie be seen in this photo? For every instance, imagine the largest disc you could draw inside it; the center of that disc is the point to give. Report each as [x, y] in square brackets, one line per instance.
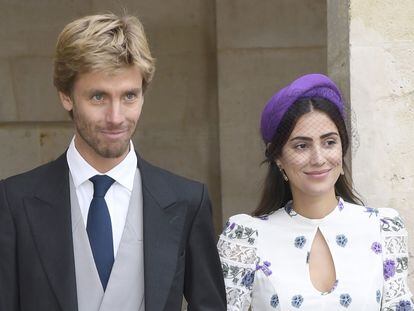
[49, 217]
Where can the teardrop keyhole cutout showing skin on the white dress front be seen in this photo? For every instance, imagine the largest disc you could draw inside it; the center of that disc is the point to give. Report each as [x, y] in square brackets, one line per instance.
[321, 267]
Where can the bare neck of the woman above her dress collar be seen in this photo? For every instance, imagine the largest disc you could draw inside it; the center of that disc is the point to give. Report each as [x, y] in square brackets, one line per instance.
[314, 207]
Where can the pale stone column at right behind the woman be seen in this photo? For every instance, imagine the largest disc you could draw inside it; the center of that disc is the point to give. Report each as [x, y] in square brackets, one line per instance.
[373, 60]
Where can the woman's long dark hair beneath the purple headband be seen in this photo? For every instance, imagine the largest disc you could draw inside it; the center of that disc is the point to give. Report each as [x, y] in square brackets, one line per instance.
[276, 191]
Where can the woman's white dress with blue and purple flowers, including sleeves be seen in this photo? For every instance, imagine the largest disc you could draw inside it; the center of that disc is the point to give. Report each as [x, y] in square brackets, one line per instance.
[265, 261]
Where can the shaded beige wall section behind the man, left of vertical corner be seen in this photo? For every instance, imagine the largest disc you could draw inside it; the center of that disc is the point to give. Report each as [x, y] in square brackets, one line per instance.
[179, 126]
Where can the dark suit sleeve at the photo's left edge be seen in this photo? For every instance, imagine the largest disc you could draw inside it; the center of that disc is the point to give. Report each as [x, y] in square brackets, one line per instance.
[8, 262]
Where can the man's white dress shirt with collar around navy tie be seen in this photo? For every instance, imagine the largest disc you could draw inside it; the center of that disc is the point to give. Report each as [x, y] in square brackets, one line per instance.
[119, 194]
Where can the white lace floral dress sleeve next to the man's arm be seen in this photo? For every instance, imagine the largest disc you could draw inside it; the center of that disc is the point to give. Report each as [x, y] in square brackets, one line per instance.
[237, 250]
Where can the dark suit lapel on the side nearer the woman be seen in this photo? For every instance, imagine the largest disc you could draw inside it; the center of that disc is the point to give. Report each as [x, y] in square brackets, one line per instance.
[163, 225]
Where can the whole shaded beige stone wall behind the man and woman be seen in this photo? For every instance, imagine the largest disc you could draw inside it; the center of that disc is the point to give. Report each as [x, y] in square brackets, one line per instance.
[217, 64]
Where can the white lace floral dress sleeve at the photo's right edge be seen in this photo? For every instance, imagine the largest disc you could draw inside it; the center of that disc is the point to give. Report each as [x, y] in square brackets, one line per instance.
[396, 294]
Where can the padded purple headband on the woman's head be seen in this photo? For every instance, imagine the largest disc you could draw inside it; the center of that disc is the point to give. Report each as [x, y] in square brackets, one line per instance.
[307, 86]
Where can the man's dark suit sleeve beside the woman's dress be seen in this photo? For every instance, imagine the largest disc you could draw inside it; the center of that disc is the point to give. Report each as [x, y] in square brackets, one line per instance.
[204, 285]
